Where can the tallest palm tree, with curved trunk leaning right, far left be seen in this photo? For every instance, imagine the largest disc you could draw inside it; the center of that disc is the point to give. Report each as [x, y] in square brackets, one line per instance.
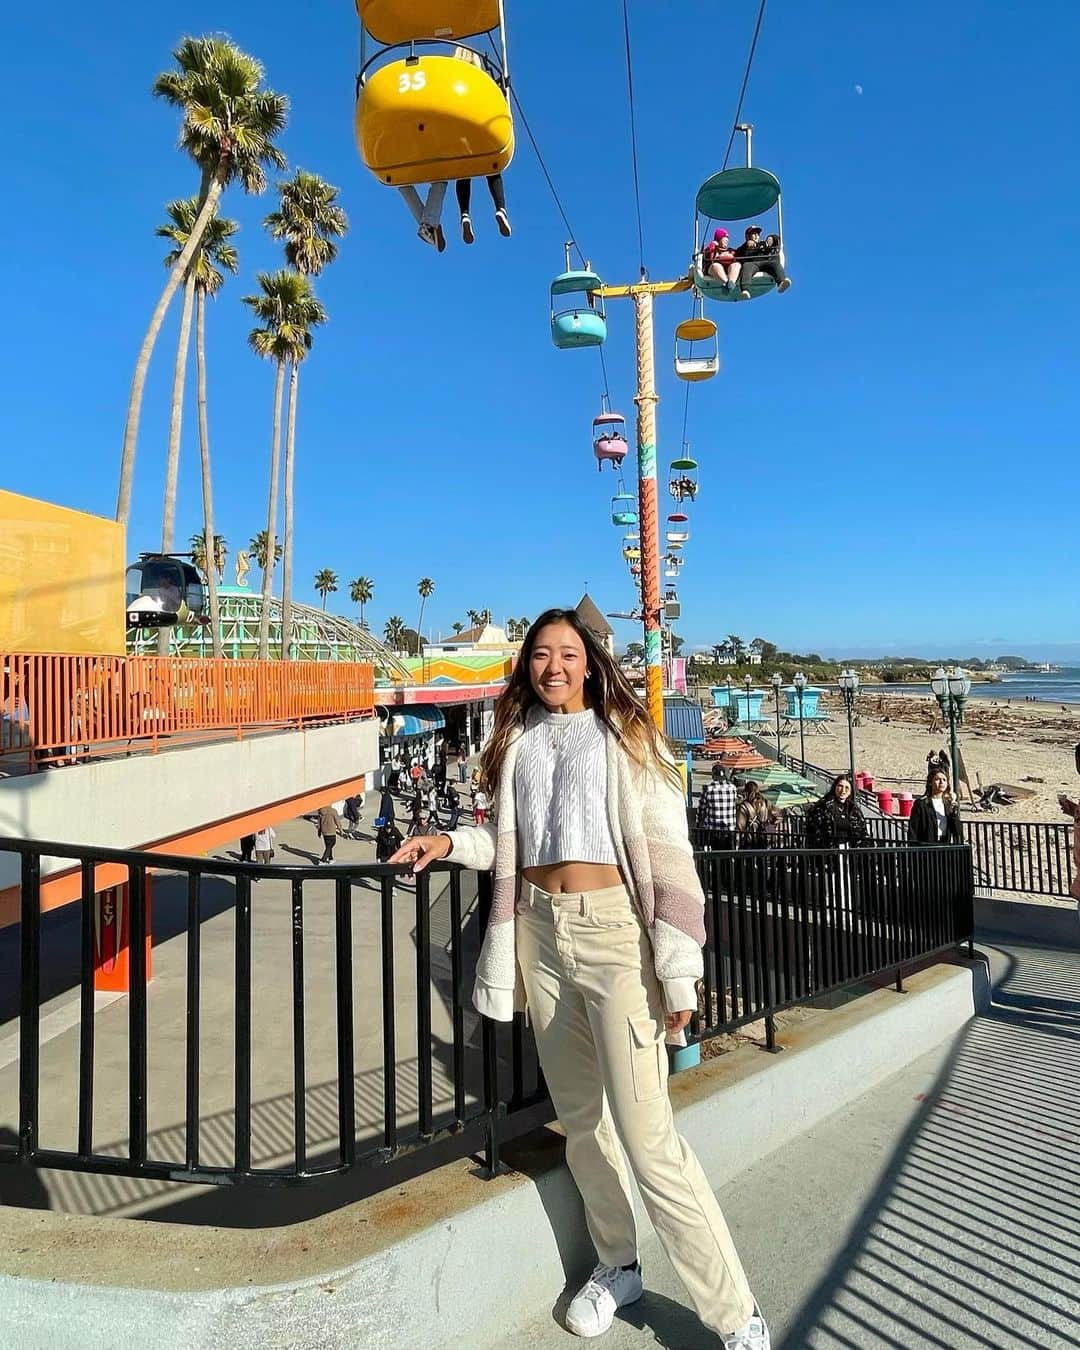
[229, 128]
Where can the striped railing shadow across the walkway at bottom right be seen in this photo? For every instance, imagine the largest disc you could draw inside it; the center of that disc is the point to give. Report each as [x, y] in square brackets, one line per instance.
[973, 1236]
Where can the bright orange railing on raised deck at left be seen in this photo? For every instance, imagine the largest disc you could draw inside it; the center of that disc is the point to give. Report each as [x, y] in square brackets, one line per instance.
[61, 708]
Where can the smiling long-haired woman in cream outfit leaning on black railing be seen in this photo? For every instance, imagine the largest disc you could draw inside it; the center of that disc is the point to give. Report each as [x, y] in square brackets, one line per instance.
[597, 927]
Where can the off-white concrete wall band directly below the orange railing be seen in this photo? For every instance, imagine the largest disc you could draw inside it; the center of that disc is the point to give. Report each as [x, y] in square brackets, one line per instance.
[148, 799]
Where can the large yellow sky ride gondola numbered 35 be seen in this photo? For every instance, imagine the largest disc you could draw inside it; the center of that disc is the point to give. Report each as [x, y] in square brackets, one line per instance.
[431, 118]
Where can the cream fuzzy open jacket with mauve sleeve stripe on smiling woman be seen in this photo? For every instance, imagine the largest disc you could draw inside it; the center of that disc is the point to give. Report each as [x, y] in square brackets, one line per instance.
[649, 826]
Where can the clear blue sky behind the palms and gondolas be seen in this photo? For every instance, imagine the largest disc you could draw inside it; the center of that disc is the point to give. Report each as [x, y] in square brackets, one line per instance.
[888, 460]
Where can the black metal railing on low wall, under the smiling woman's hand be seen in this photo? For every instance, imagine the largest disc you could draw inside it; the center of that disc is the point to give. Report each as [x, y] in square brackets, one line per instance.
[295, 1036]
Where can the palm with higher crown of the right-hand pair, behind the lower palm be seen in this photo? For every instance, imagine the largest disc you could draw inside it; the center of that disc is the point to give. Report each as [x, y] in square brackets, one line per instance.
[308, 219]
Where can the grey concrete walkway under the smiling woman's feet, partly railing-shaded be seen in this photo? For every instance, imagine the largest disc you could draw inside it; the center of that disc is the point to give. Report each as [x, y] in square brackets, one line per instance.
[940, 1212]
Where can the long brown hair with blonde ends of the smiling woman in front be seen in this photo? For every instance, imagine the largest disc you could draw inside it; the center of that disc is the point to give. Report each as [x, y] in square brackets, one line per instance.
[607, 692]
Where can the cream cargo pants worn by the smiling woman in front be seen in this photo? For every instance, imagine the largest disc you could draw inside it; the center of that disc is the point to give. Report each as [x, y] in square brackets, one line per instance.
[599, 1020]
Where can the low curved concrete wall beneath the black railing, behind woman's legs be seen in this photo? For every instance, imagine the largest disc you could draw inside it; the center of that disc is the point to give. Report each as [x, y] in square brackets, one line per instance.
[448, 1260]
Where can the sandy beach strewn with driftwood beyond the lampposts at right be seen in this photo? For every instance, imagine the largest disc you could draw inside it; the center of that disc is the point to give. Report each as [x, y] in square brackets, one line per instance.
[1001, 745]
